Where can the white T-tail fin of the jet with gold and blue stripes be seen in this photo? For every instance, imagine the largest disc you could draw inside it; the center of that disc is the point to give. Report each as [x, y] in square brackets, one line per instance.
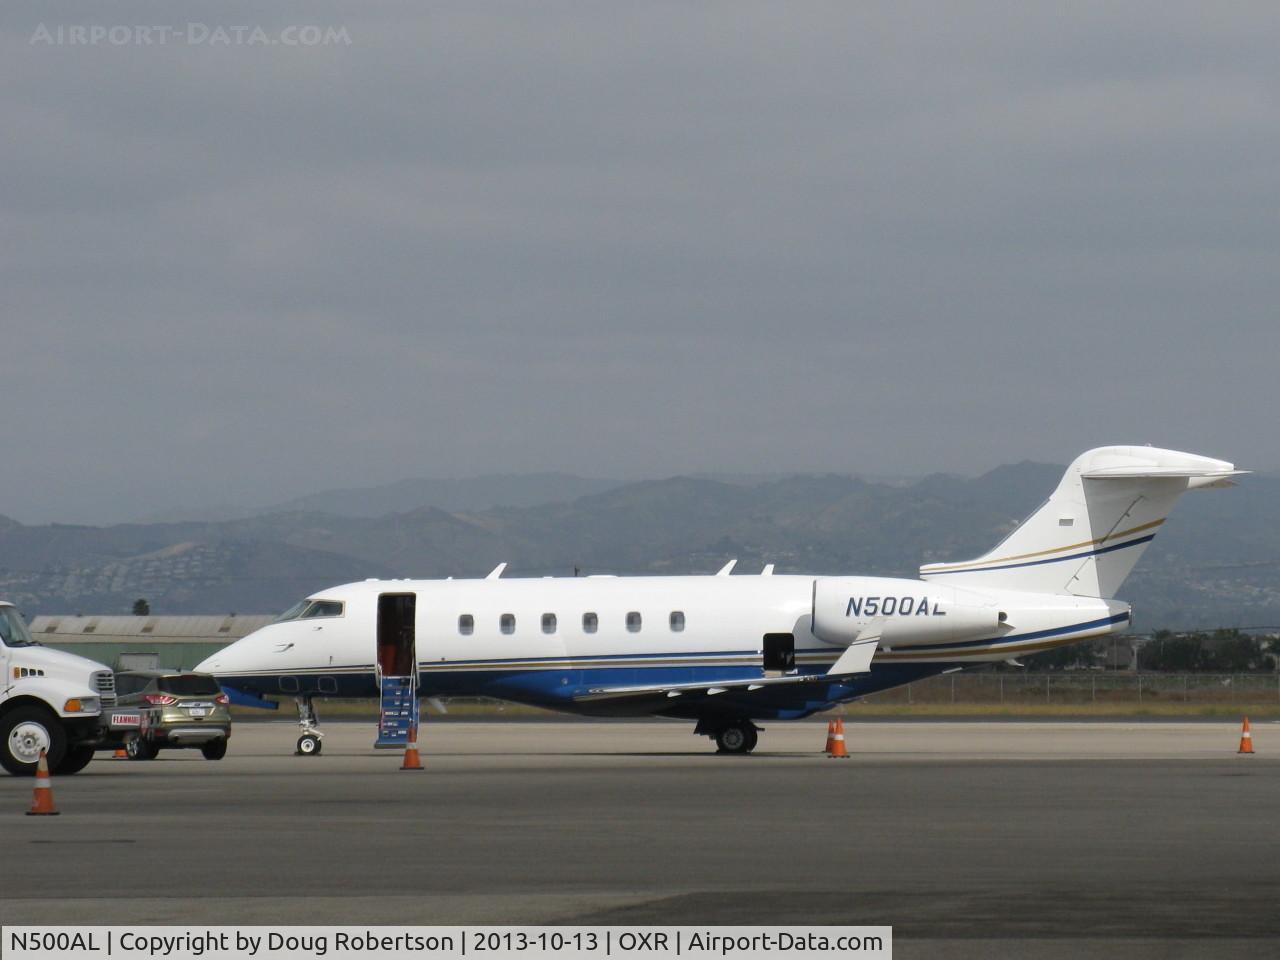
[1090, 534]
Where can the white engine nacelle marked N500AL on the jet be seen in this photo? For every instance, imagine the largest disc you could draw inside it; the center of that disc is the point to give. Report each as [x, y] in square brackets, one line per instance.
[909, 614]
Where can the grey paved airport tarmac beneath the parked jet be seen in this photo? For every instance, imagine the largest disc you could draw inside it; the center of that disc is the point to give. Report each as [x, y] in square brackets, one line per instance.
[972, 840]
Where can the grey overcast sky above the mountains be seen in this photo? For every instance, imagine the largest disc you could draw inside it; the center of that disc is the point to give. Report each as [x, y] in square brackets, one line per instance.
[629, 240]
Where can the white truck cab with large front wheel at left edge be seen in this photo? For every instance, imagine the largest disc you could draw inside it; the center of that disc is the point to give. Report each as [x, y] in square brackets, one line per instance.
[52, 701]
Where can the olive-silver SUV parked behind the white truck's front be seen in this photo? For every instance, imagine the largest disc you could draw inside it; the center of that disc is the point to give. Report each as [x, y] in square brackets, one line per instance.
[179, 711]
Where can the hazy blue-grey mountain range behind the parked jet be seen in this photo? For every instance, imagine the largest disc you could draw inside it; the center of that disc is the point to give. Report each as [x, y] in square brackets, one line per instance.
[1215, 564]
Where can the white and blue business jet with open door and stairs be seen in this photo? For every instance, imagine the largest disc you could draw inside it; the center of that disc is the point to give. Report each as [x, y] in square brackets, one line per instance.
[723, 651]
